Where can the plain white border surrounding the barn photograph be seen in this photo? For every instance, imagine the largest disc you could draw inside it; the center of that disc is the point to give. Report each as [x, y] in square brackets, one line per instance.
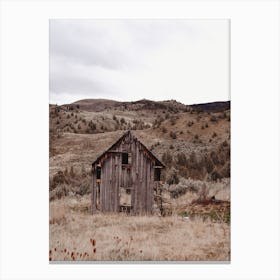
[255, 137]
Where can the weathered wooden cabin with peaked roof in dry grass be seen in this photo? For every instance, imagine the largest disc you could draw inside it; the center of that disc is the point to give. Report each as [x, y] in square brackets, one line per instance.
[126, 178]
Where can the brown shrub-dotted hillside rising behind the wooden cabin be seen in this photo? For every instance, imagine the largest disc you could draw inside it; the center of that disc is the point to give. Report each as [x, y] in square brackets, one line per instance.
[193, 139]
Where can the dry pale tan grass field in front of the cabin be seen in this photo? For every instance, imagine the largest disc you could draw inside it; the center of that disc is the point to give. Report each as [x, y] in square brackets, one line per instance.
[77, 235]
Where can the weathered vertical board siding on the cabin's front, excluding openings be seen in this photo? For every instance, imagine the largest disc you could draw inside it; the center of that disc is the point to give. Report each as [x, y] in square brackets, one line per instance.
[138, 176]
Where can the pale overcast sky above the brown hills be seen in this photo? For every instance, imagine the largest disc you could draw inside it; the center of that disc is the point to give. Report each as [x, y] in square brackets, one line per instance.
[128, 60]
